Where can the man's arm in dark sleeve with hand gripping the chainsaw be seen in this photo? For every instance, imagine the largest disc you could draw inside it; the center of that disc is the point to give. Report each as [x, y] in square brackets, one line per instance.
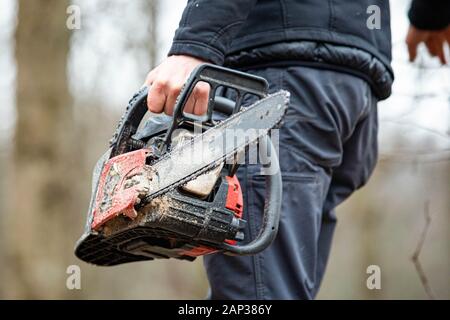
[205, 33]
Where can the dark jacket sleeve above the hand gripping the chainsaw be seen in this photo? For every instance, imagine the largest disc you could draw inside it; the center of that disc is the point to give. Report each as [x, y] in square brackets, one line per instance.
[207, 28]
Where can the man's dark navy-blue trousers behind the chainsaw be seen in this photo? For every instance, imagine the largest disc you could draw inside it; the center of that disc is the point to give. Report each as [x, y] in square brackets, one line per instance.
[327, 150]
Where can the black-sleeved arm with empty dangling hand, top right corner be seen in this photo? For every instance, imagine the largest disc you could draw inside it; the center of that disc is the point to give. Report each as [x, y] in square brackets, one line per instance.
[430, 21]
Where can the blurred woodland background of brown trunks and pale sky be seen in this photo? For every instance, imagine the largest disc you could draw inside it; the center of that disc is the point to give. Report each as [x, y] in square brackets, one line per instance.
[62, 92]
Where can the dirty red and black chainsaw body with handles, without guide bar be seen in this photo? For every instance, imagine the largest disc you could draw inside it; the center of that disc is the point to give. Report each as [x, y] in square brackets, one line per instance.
[125, 223]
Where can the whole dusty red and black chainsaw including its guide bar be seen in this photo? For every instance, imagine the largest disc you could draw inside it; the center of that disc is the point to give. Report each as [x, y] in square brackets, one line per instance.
[167, 187]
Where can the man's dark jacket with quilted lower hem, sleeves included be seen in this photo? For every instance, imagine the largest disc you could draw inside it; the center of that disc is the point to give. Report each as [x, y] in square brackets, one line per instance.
[321, 33]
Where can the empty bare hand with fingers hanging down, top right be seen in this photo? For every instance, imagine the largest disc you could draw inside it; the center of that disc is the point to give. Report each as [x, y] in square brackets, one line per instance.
[434, 40]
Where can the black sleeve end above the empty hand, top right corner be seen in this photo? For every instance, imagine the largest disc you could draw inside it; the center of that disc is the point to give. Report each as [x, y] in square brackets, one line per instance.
[430, 14]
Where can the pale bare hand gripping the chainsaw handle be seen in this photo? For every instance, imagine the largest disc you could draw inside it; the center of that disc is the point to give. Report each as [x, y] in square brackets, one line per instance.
[165, 83]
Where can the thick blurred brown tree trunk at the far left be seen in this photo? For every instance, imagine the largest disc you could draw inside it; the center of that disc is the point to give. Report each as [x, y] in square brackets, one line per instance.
[41, 197]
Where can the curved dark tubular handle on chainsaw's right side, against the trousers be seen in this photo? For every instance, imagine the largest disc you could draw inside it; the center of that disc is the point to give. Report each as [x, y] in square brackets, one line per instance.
[272, 208]
